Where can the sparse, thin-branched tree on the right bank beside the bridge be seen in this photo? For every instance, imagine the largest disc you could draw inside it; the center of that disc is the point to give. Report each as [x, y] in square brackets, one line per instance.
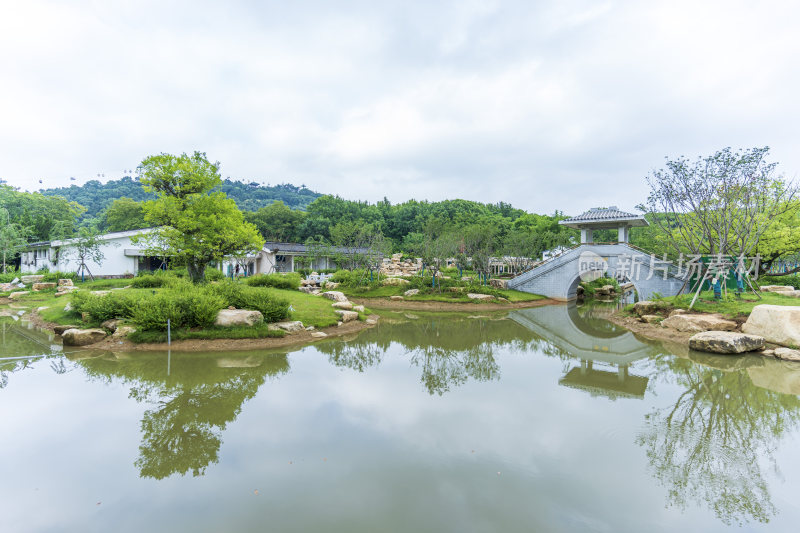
[720, 204]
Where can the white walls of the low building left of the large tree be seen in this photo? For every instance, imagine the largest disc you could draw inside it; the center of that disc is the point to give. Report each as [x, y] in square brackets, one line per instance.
[122, 257]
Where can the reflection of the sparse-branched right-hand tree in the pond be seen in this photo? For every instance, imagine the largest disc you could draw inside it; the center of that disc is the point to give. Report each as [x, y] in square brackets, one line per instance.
[710, 444]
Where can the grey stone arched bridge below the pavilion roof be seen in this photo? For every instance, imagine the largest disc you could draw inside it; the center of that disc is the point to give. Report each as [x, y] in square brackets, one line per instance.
[559, 277]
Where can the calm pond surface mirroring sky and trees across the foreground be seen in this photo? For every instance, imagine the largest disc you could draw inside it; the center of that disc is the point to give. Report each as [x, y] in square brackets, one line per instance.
[547, 419]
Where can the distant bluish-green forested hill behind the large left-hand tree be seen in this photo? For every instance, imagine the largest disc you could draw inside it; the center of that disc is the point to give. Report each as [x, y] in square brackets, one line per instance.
[96, 196]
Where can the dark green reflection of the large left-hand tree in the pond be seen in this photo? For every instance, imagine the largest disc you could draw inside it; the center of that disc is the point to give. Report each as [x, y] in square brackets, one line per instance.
[191, 406]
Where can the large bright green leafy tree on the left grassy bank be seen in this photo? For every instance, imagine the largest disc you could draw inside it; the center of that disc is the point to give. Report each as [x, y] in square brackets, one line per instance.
[197, 226]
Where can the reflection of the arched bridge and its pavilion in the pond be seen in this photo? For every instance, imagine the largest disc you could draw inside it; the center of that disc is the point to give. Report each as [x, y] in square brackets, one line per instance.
[584, 333]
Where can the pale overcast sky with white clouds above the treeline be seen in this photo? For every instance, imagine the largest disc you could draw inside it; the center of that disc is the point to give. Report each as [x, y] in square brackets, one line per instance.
[547, 105]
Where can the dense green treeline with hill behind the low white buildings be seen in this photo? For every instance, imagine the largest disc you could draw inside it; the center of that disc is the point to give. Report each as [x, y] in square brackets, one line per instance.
[297, 214]
